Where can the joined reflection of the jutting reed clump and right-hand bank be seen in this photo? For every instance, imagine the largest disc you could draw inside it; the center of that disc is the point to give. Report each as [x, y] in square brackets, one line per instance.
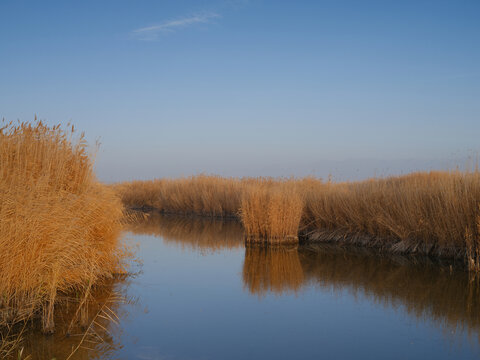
[425, 289]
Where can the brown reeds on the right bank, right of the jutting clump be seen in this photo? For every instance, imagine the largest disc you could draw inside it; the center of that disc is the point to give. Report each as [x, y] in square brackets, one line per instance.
[430, 213]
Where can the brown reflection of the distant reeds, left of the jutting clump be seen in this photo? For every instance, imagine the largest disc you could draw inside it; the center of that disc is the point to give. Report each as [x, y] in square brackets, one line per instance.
[204, 234]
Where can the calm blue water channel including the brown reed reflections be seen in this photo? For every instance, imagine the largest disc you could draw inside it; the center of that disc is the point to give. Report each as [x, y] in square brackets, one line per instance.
[200, 294]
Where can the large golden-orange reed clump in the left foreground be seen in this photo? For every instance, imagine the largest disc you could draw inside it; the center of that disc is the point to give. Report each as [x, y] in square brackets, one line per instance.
[59, 226]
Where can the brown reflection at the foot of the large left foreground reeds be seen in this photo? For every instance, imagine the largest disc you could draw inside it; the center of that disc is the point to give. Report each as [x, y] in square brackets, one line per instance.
[85, 328]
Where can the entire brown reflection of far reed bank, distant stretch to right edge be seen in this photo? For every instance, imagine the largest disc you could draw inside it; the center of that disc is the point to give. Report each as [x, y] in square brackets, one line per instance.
[426, 289]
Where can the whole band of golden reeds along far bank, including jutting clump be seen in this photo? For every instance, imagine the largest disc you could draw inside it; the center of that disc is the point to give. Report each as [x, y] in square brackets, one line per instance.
[435, 213]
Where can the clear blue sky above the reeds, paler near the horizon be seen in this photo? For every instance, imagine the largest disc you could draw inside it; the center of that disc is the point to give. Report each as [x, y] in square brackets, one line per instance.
[250, 88]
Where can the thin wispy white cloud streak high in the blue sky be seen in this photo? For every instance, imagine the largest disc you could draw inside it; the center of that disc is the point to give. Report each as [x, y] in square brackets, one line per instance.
[153, 32]
